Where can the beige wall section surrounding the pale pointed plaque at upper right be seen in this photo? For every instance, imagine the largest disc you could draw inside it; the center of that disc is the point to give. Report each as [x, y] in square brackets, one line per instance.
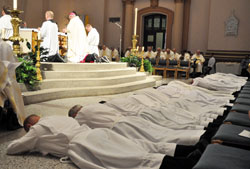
[217, 39]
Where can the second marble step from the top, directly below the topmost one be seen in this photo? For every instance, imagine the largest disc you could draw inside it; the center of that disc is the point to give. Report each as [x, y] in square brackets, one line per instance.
[87, 73]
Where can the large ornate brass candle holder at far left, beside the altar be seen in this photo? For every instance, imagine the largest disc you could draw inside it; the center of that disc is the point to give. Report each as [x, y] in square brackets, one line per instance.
[16, 36]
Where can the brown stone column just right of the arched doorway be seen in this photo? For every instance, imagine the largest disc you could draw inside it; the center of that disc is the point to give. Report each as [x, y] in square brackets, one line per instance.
[178, 25]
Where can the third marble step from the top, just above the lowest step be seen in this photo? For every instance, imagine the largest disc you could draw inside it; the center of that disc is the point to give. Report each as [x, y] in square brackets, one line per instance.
[89, 82]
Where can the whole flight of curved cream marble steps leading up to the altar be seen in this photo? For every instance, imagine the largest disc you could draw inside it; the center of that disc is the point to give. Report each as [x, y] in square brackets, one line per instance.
[65, 80]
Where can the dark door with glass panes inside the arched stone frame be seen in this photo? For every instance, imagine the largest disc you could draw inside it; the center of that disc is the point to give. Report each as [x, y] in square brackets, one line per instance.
[154, 31]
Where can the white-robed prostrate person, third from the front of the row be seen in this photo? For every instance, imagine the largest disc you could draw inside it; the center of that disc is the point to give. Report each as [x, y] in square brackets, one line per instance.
[158, 113]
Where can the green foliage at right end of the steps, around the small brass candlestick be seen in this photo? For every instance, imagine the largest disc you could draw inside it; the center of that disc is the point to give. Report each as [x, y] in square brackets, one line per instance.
[133, 61]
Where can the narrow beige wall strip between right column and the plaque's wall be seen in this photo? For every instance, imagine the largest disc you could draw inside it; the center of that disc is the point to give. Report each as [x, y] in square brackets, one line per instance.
[199, 25]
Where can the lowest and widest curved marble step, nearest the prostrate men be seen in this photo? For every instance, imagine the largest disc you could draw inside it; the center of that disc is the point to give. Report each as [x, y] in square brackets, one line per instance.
[58, 93]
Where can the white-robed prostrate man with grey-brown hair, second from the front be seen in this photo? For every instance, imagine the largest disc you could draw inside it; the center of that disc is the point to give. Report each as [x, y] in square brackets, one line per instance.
[103, 116]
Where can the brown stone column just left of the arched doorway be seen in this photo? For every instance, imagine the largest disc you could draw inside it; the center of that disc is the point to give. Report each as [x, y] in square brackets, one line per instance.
[128, 23]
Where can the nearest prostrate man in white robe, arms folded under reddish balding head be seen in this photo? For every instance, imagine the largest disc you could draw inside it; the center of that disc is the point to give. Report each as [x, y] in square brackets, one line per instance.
[87, 148]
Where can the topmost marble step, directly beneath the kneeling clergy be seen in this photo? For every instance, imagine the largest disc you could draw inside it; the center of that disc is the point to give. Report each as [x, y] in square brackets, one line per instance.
[52, 66]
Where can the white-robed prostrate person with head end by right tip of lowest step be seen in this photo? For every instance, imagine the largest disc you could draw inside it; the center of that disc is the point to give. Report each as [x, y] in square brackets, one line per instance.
[180, 90]
